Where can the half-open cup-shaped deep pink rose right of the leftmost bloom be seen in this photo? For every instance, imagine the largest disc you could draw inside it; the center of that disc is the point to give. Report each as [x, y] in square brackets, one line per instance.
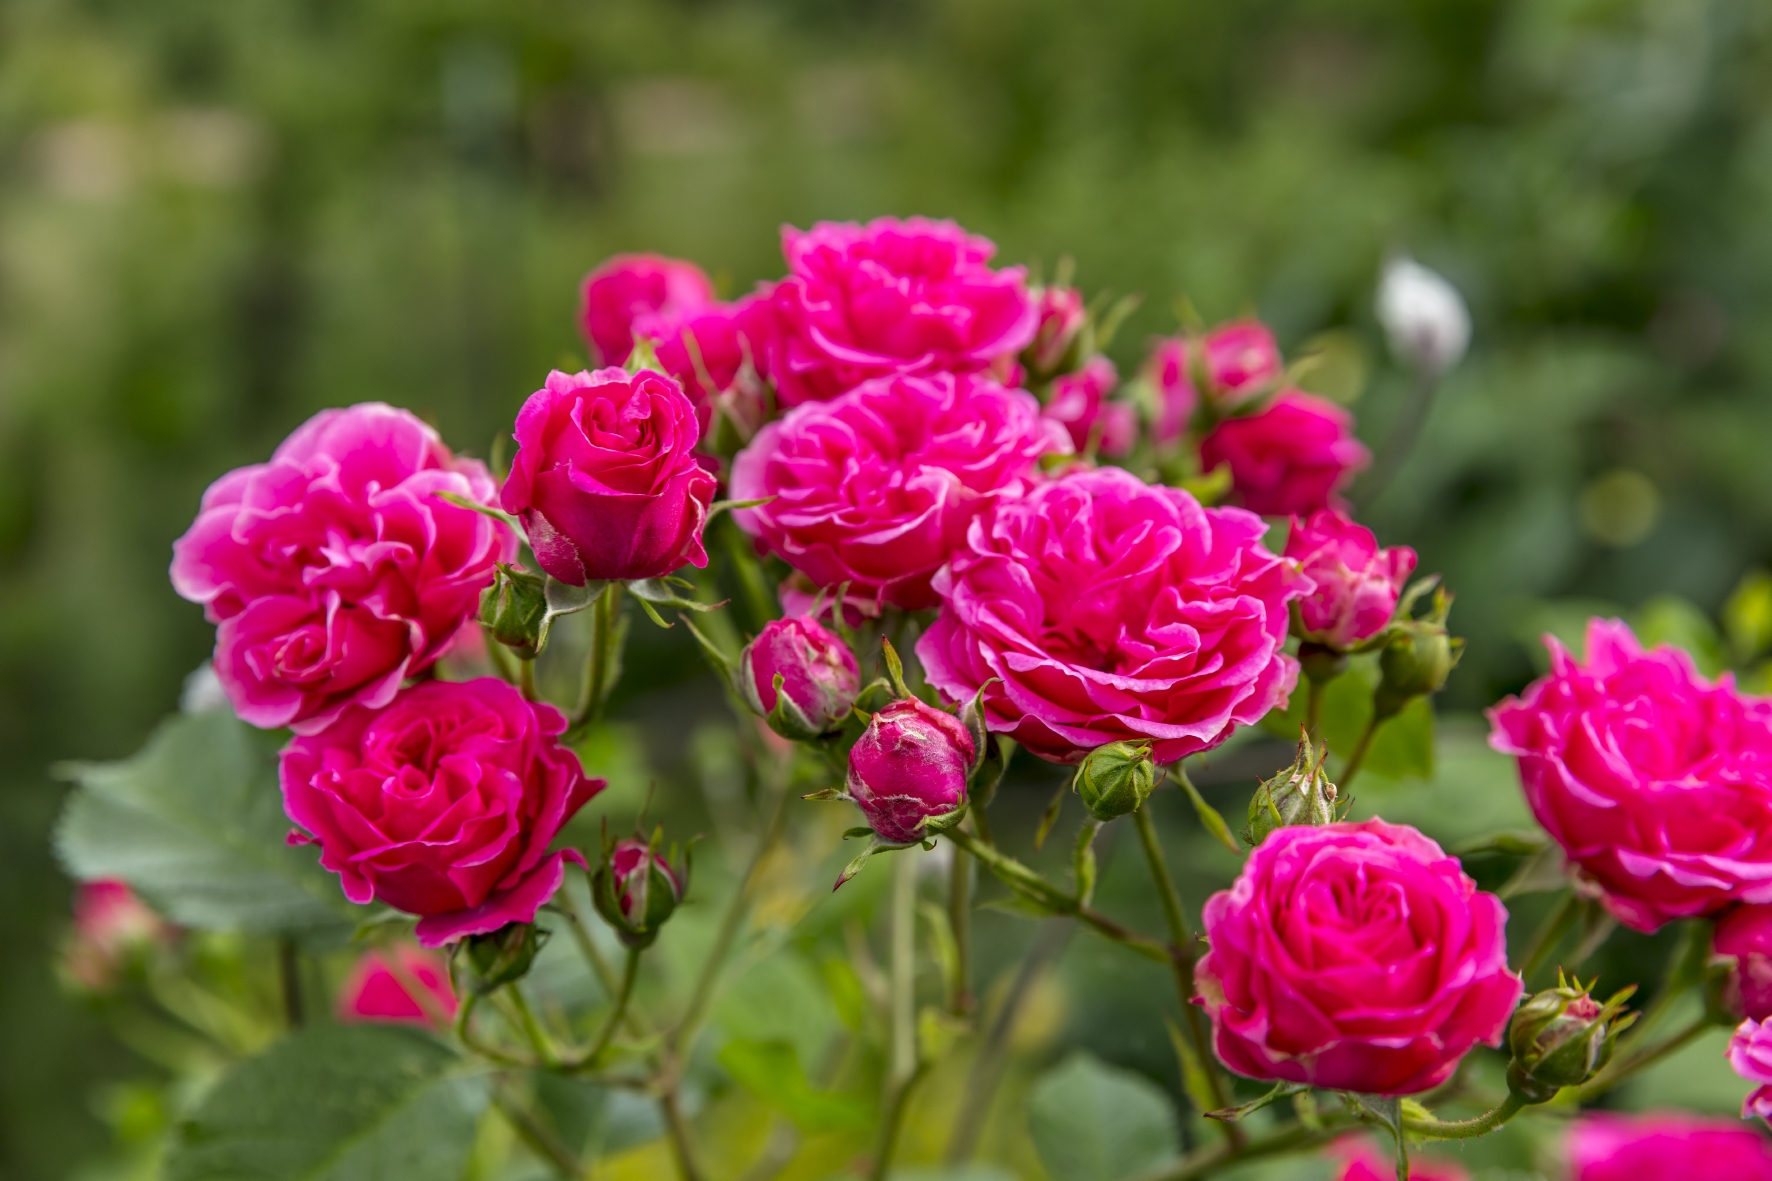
[607, 478]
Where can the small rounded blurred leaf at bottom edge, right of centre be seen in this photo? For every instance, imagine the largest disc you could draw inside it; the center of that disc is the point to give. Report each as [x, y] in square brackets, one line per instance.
[1092, 1122]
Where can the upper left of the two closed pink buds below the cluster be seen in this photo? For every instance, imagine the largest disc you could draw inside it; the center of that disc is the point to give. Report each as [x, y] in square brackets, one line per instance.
[800, 678]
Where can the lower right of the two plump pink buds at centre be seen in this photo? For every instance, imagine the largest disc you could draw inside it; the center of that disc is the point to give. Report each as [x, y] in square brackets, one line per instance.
[910, 769]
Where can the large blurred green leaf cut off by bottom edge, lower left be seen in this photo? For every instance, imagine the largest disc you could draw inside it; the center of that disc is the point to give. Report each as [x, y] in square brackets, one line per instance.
[336, 1104]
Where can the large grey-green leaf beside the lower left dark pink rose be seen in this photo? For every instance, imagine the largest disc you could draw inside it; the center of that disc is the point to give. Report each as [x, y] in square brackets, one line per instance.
[196, 824]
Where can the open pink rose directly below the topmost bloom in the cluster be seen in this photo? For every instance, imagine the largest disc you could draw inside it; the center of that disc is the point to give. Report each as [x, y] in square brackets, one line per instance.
[878, 487]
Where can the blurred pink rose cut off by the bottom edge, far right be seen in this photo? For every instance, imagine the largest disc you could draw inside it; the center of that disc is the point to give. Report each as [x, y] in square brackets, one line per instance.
[1659, 1146]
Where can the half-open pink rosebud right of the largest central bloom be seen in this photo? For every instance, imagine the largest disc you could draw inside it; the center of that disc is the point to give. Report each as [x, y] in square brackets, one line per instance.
[1358, 584]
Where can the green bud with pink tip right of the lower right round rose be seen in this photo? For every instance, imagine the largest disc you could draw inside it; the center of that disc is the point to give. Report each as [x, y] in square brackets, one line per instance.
[1562, 1038]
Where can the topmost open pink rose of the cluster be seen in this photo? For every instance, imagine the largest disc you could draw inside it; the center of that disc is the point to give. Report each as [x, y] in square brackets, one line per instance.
[892, 297]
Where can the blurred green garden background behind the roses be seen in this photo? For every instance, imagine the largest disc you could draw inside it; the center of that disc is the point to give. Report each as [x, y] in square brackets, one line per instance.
[221, 217]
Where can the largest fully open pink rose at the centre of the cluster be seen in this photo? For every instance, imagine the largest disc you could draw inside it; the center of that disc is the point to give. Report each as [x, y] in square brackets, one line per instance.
[1108, 609]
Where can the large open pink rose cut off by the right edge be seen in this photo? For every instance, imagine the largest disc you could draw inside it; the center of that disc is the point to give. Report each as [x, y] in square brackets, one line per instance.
[1656, 781]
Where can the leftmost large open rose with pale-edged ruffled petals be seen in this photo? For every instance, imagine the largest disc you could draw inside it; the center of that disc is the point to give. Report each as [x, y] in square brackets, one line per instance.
[338, 570]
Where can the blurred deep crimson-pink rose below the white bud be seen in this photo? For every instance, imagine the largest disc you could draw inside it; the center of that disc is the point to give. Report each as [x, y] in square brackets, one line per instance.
[1294, 457]
